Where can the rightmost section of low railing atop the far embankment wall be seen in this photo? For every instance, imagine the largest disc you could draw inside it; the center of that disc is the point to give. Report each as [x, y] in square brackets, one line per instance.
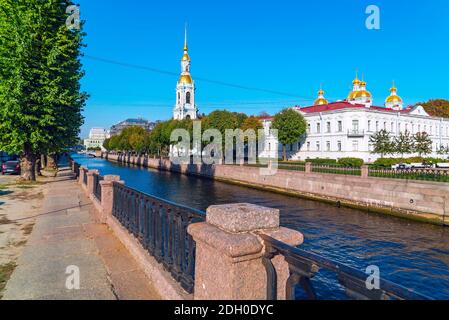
[436, 175]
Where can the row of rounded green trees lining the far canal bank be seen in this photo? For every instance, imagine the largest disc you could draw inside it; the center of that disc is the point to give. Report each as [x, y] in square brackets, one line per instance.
[289, 123]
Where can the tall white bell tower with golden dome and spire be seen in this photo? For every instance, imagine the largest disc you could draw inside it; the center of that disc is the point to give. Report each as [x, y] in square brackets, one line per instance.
[185, 107]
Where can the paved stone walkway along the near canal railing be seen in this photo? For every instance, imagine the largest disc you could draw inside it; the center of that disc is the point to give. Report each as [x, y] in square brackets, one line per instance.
[67, 233]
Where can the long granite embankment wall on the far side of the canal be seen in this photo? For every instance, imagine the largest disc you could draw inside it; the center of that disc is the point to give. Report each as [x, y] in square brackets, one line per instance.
[419, 200]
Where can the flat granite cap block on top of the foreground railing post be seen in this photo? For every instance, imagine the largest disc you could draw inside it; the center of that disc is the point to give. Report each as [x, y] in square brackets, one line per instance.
[242, 217]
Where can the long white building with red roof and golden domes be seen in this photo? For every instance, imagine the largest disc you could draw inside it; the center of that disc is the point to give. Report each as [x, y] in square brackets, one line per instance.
[343, 129]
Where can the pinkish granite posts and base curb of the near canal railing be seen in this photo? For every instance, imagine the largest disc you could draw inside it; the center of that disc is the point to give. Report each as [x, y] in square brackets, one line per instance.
[229, 249]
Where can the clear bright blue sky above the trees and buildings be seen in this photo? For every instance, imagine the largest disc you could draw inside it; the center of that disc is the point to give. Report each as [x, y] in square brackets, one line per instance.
[286, 46]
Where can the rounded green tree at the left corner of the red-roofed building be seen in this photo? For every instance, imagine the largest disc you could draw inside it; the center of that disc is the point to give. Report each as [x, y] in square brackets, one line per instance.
[291, 125]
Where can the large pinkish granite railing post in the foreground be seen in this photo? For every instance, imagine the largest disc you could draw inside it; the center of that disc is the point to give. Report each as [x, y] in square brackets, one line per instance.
[229, 252]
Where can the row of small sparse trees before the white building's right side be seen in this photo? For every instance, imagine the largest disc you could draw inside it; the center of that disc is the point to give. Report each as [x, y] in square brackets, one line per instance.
[404, 143]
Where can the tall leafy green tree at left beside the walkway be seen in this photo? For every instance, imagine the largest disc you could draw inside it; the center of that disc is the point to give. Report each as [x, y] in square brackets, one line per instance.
[40, 71]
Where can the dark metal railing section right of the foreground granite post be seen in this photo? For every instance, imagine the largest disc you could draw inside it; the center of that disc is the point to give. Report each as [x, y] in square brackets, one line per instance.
[303, 266]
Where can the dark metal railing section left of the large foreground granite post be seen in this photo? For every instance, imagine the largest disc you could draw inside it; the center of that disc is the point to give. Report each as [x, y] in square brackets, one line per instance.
[161, 228]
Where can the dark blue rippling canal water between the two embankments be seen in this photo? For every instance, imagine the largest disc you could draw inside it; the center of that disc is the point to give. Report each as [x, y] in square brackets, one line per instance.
[412, 254]
